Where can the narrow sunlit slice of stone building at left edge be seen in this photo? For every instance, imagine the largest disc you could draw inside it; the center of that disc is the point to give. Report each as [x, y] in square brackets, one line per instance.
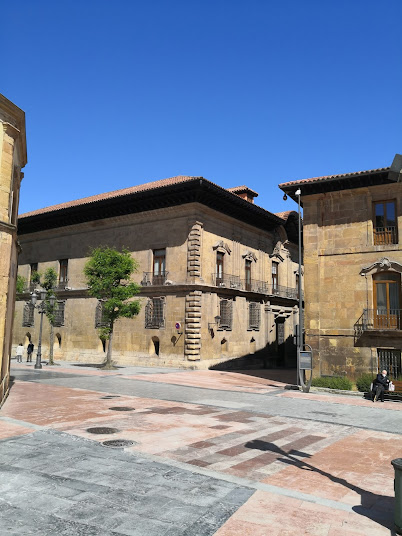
[13, 157]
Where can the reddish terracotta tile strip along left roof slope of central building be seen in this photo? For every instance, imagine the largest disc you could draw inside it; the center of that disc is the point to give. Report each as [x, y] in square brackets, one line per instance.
[110, 195]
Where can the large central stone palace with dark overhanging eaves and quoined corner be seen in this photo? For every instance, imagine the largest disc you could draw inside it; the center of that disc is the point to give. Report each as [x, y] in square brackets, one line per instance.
[204, 252]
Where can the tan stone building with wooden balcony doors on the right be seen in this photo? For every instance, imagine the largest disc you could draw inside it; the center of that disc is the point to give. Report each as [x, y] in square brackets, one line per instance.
[352, 227]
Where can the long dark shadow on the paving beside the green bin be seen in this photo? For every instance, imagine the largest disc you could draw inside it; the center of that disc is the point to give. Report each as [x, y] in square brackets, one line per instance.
[382, 514]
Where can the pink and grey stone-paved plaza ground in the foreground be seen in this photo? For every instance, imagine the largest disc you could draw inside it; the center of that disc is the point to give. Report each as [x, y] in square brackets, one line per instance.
[210, 453]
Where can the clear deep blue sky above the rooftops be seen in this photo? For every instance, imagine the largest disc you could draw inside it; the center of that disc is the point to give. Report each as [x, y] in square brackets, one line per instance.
[255, 92]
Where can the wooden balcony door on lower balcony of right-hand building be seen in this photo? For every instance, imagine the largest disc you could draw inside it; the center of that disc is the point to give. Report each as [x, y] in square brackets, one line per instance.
[387, 294]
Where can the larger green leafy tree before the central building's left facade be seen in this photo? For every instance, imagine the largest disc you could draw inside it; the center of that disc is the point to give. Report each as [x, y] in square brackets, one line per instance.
[108, 273]
